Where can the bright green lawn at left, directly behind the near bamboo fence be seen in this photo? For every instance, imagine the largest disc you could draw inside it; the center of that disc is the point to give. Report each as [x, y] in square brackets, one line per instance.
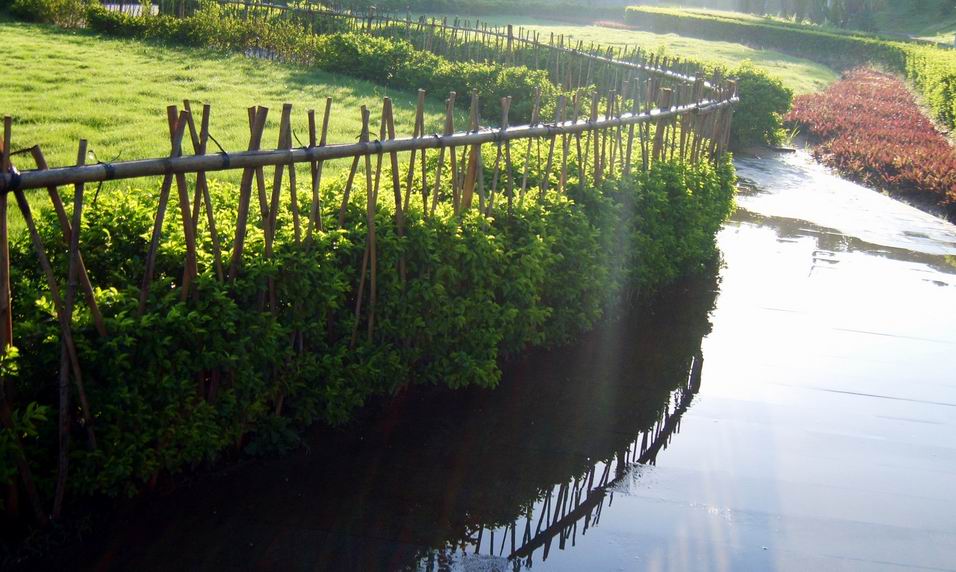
[62, 86]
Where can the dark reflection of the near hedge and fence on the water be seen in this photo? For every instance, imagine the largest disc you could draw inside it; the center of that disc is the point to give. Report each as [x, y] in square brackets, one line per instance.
[431, 475]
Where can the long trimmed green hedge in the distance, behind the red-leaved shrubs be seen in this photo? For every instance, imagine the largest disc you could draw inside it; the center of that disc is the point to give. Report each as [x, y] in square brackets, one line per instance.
[931, 69]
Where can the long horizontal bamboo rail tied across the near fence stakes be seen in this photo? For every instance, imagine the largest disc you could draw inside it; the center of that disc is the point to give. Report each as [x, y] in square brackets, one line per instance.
[38, 179]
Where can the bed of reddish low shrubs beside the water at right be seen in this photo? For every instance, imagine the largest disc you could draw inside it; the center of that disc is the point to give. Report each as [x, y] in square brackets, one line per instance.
[869, 127]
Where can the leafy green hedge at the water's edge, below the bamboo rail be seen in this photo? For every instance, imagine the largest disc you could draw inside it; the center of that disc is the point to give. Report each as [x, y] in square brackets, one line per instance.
[188, 381]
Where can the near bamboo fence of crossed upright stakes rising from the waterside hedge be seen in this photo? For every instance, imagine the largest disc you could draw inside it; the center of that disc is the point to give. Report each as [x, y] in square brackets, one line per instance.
[639, 125]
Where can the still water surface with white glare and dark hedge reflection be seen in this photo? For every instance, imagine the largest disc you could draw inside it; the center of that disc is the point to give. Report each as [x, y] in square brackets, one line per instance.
[796, 410]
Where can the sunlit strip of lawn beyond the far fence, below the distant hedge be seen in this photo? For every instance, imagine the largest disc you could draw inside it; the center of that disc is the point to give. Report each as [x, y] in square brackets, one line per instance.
[803, 76]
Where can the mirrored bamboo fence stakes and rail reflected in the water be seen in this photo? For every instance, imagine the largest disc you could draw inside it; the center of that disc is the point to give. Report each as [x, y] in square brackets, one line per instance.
[578, 503]
